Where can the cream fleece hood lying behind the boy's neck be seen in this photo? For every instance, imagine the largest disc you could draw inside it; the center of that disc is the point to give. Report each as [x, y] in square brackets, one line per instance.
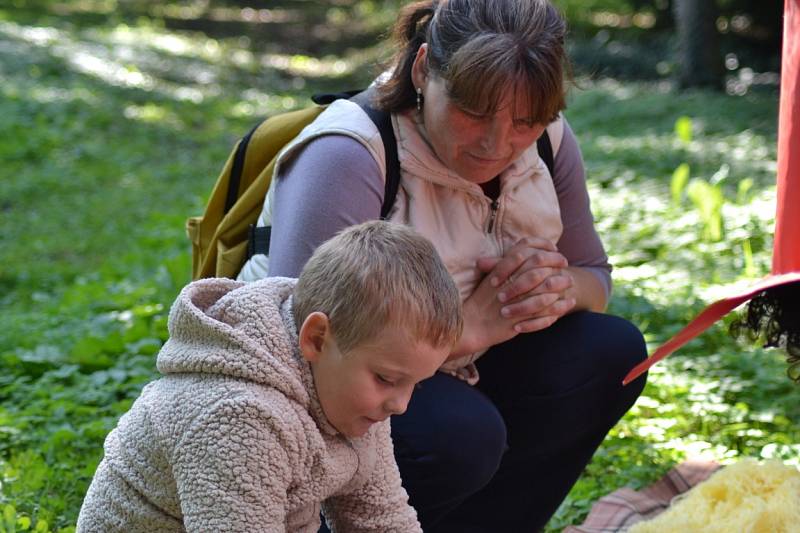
[242, 330]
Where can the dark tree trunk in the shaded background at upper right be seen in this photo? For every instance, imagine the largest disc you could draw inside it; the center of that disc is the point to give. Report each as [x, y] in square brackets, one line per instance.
[698, 46]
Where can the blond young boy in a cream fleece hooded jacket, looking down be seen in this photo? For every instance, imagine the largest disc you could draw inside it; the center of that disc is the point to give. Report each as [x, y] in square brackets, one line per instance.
[275, 397]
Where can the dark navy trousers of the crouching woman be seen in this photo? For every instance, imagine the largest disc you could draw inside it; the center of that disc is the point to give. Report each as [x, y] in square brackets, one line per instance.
[501, 456]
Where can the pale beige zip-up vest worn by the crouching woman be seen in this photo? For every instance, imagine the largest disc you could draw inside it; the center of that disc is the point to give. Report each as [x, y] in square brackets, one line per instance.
[450, 211]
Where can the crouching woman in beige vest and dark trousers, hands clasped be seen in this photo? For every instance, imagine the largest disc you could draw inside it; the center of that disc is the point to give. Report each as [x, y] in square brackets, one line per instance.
[495, 442]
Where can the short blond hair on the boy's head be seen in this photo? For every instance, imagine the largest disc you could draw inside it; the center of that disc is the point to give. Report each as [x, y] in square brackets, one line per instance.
[375, 274]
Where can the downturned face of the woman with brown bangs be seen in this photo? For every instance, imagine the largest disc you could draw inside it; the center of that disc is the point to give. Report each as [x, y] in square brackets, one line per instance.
[475, 147]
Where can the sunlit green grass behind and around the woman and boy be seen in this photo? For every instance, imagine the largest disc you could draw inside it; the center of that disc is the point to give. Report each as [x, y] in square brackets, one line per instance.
[113, 130]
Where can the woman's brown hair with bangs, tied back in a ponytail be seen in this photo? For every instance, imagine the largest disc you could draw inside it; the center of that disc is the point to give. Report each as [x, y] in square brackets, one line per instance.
[480, 48]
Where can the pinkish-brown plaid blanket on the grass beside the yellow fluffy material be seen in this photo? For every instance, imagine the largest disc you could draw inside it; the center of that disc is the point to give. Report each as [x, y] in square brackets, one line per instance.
[625, 507]
